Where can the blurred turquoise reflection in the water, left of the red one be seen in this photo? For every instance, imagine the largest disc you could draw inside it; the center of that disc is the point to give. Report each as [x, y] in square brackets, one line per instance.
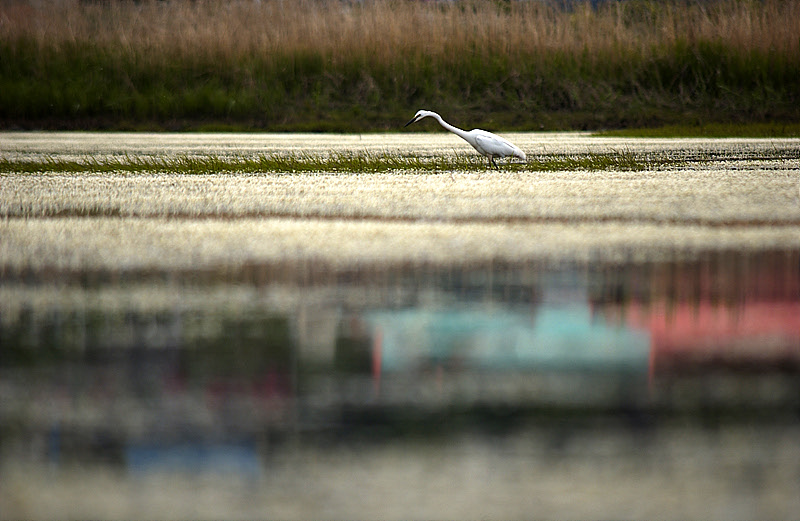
[564, 337]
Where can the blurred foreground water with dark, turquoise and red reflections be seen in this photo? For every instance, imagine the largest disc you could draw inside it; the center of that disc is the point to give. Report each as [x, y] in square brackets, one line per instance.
[243, 373]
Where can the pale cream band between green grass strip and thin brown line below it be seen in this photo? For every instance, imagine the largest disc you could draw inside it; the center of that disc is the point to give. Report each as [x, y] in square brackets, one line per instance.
[703, 195]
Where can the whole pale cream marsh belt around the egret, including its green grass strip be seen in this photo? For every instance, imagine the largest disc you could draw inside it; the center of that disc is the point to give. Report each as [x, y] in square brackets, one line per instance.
[194, 200]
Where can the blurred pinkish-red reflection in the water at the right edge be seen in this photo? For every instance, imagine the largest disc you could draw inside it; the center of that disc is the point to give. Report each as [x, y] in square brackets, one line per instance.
[723, 311]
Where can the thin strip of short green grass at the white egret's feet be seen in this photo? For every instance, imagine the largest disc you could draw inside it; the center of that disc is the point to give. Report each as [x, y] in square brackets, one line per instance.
[345, 162]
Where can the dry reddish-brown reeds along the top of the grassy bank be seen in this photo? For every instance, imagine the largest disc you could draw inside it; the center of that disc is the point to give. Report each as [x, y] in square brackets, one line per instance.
[382, 30]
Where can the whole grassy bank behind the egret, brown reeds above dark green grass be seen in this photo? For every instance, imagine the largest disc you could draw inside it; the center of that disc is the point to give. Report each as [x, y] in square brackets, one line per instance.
[313, 65]
